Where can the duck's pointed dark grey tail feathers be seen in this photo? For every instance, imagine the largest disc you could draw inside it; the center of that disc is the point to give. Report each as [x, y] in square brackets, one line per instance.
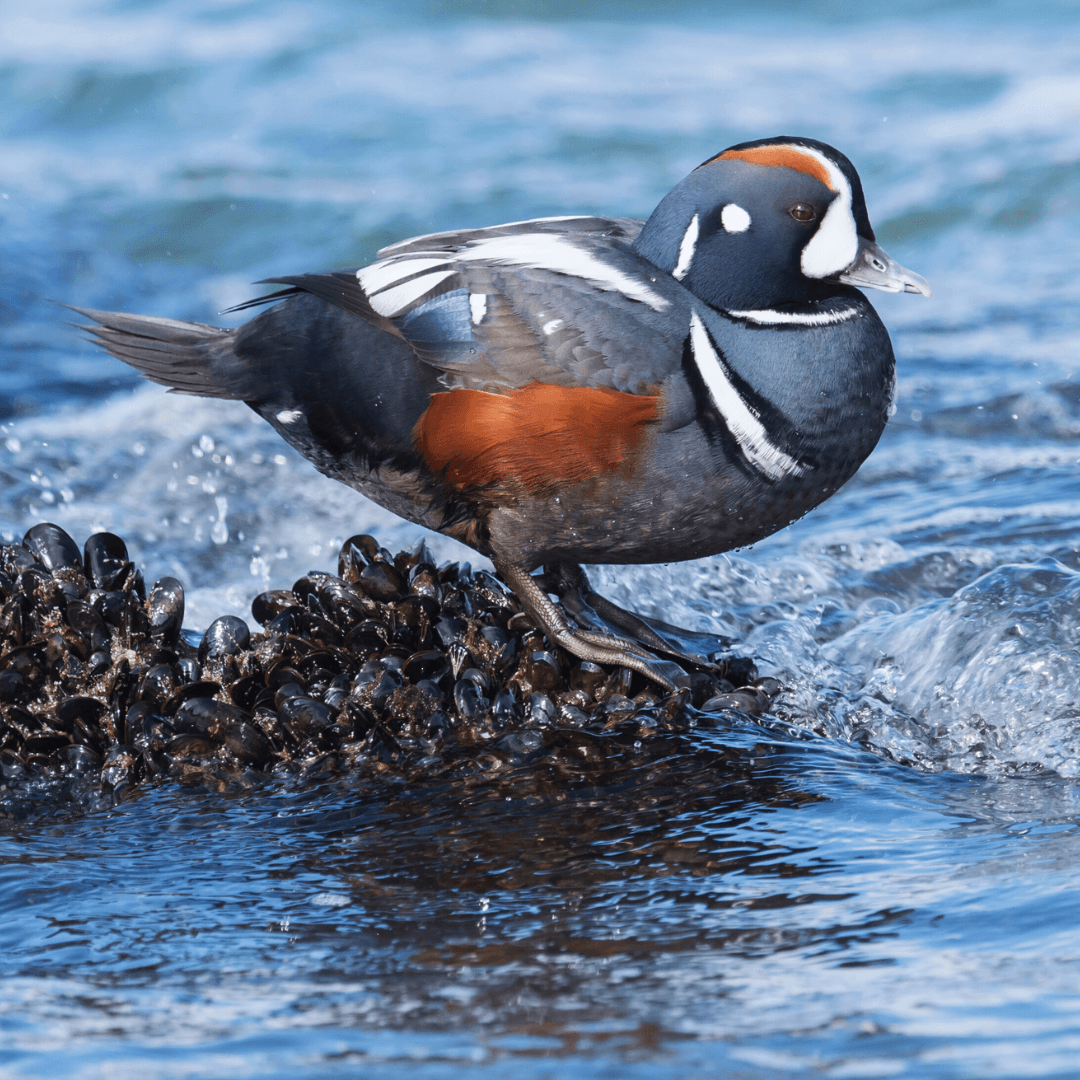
[188, 358]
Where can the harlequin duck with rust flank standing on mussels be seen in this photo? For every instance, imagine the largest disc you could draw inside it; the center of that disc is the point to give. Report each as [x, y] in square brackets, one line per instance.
[583, 389]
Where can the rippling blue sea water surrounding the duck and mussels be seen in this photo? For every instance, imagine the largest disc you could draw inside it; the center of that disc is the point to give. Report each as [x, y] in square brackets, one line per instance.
[880, 881]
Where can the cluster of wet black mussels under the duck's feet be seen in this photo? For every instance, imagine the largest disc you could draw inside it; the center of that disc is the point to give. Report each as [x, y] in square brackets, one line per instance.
[391, 666]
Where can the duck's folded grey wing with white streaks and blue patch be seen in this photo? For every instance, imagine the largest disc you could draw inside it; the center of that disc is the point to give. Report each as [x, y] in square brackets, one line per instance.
[560, 302]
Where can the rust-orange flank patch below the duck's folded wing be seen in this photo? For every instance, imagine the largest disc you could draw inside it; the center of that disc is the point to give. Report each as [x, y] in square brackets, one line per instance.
[542, 436]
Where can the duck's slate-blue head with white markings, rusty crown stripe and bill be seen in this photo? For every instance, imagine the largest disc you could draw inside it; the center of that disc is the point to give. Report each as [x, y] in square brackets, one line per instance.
[772, 223]
